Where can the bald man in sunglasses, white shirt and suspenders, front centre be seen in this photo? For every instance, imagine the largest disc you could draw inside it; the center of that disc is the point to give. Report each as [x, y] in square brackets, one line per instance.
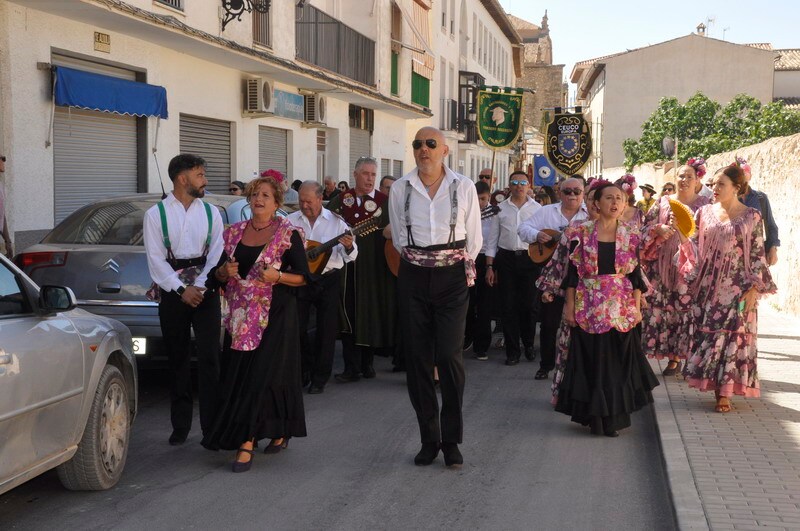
[436, 226]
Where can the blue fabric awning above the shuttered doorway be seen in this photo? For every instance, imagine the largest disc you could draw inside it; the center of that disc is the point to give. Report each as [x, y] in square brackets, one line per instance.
[96, 92]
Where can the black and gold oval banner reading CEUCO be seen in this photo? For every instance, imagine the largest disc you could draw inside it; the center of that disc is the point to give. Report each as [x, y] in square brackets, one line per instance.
[568, 142]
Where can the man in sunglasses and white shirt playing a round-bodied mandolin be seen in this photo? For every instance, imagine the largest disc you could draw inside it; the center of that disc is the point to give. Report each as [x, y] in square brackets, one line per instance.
[556, 217]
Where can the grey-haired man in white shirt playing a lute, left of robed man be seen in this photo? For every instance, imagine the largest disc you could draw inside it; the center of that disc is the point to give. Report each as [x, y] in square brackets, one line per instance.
[321, 225]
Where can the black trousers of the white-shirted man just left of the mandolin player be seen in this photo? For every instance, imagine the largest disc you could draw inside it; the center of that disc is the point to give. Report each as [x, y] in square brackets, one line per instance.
[516, 275]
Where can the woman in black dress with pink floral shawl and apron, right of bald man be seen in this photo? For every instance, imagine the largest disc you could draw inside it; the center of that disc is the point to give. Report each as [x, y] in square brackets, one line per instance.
[606, 376]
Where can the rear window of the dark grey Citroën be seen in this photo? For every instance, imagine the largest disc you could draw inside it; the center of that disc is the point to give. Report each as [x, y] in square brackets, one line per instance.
[118, 223]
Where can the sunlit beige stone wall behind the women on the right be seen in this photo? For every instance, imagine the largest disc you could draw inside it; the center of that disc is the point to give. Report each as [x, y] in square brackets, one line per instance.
[775, 166]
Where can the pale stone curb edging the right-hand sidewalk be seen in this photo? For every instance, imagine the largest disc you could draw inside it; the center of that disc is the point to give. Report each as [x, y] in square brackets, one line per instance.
[686, 501]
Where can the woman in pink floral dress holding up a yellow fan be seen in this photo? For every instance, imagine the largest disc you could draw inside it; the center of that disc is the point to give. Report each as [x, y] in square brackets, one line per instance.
[665, 327]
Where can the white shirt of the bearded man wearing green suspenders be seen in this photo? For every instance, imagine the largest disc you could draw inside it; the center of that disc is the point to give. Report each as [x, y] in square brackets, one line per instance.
[188, 229]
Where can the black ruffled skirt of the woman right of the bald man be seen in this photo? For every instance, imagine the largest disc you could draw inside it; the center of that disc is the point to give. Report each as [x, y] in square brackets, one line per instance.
[606, 378]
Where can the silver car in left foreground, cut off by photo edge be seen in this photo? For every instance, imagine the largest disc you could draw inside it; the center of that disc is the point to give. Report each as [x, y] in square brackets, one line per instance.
[68, 390]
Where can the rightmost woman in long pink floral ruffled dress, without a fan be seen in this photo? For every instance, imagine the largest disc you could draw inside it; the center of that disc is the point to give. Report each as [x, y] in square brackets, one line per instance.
[726, 271]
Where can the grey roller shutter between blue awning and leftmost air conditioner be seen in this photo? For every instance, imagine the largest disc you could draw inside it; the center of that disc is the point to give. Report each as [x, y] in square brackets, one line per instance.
[211, 140]
